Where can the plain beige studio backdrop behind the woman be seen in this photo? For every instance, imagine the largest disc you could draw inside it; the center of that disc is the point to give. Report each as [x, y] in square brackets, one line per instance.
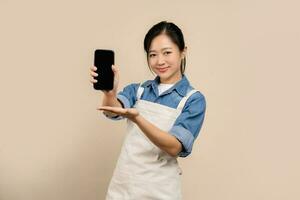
[243, 56]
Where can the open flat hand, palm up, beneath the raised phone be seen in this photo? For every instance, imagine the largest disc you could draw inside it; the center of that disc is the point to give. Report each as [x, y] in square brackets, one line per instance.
[130, 113]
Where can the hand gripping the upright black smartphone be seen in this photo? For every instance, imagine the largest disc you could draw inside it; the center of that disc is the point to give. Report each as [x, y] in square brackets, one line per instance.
[112, 92]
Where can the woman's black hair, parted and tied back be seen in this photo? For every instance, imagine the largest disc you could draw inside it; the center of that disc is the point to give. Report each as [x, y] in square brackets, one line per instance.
[172, 31]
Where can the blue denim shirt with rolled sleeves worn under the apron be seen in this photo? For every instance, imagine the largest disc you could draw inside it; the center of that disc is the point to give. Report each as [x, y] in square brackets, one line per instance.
[188, 124]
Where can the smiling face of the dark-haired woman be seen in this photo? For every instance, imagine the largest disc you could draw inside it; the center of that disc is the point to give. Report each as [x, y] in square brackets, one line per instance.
[164, 58]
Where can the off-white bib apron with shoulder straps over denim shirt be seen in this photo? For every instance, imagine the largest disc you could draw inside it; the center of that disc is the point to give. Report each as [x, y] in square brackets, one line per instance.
[144, 171]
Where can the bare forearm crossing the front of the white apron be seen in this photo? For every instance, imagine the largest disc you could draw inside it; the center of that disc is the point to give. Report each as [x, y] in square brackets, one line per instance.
[160, 138]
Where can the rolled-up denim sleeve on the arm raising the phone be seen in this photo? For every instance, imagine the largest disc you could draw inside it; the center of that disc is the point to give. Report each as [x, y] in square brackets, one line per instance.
[127, 97]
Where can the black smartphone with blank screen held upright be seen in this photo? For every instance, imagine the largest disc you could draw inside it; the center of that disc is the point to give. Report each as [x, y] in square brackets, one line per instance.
[103, 60]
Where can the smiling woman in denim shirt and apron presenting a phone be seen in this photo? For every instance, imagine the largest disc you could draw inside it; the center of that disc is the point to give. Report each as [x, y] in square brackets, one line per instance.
[164, 117]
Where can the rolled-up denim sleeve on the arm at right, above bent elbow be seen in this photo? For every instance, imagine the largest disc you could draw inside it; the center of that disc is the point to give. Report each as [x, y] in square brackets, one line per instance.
[188, 124]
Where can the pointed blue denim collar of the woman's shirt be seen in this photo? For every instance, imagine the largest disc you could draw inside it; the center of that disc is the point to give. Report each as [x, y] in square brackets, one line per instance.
[180, 86]
